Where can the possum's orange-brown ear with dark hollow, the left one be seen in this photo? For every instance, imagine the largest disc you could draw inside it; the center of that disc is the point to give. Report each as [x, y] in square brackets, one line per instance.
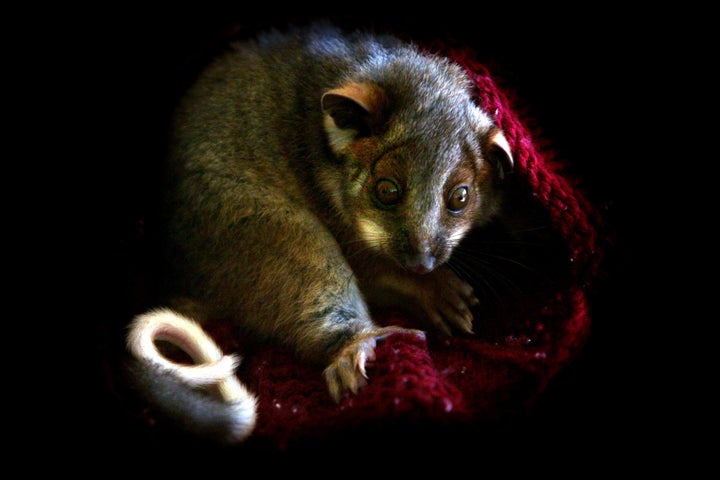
[352, 111]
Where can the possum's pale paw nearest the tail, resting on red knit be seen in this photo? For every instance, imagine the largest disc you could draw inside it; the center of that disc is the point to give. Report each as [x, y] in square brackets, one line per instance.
[347, 370]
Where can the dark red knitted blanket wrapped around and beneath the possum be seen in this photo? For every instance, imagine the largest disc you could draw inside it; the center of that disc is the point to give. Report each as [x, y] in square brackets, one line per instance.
[499, 371]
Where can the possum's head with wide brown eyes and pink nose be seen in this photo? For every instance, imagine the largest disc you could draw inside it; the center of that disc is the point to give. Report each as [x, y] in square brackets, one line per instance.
[419, 164]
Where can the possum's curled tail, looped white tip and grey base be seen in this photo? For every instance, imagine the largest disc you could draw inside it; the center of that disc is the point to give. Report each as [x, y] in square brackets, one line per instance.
[181, 392]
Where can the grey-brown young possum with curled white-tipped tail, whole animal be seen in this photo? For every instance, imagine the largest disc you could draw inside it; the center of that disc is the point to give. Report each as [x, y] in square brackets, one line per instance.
[315, 173]
